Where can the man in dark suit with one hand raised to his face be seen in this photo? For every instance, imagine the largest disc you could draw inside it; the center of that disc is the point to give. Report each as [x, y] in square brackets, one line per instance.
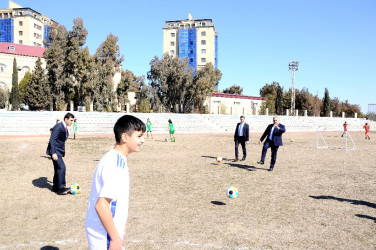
[273, 135]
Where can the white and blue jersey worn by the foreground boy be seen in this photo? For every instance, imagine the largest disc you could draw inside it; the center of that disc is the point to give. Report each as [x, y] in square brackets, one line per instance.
[111, 180]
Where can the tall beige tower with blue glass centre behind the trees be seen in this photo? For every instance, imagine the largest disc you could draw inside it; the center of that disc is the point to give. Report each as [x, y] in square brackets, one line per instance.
[192, 38]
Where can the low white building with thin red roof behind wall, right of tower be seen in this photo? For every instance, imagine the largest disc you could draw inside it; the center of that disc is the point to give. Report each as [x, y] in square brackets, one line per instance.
[232, 104]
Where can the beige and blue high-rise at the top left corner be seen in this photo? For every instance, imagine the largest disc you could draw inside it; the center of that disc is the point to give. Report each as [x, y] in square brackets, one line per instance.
[24, 26]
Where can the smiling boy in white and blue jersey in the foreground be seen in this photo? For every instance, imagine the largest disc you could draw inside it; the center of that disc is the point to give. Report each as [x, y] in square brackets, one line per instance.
[107, 211]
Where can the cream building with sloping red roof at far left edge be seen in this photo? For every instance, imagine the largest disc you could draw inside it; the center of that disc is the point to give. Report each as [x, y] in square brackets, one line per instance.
[26, 56]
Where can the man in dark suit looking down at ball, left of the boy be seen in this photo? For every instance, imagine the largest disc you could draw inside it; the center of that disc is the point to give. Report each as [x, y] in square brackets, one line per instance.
[56, 149]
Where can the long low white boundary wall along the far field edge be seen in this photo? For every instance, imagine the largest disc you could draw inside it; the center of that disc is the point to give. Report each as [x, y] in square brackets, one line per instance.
[21, 123]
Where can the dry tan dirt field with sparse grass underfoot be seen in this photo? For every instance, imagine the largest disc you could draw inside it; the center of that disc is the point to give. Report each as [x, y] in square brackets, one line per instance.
[314, 199]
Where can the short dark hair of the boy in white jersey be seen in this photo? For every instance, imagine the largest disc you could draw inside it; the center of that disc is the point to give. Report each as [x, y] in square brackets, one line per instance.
[128, 124]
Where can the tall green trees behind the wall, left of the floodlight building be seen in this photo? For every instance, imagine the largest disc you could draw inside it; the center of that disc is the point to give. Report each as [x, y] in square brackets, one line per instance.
[72, 74]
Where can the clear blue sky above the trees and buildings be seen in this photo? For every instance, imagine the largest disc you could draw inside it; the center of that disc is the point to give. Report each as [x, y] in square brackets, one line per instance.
[335, 41]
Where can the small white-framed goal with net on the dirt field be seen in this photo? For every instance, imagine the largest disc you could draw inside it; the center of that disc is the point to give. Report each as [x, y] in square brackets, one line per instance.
[334, 140]
